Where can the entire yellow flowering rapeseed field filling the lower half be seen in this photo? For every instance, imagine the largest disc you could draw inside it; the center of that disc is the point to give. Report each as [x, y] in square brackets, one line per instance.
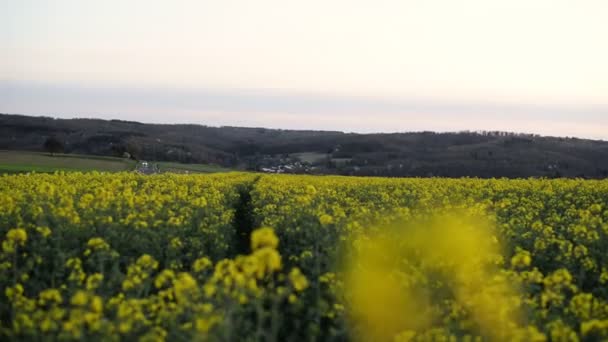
[237, 256]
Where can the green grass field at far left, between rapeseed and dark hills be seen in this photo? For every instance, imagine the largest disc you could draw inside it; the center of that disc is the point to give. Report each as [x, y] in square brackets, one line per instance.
[23, 161]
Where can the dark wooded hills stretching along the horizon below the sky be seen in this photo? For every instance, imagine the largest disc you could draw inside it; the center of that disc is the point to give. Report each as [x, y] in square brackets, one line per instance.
[418, 154]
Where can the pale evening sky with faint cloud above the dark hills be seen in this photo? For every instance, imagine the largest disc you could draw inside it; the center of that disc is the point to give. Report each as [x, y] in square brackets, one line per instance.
[535, 66]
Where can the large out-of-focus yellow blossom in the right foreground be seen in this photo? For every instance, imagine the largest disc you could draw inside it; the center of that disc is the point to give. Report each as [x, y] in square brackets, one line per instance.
[399, 278]
